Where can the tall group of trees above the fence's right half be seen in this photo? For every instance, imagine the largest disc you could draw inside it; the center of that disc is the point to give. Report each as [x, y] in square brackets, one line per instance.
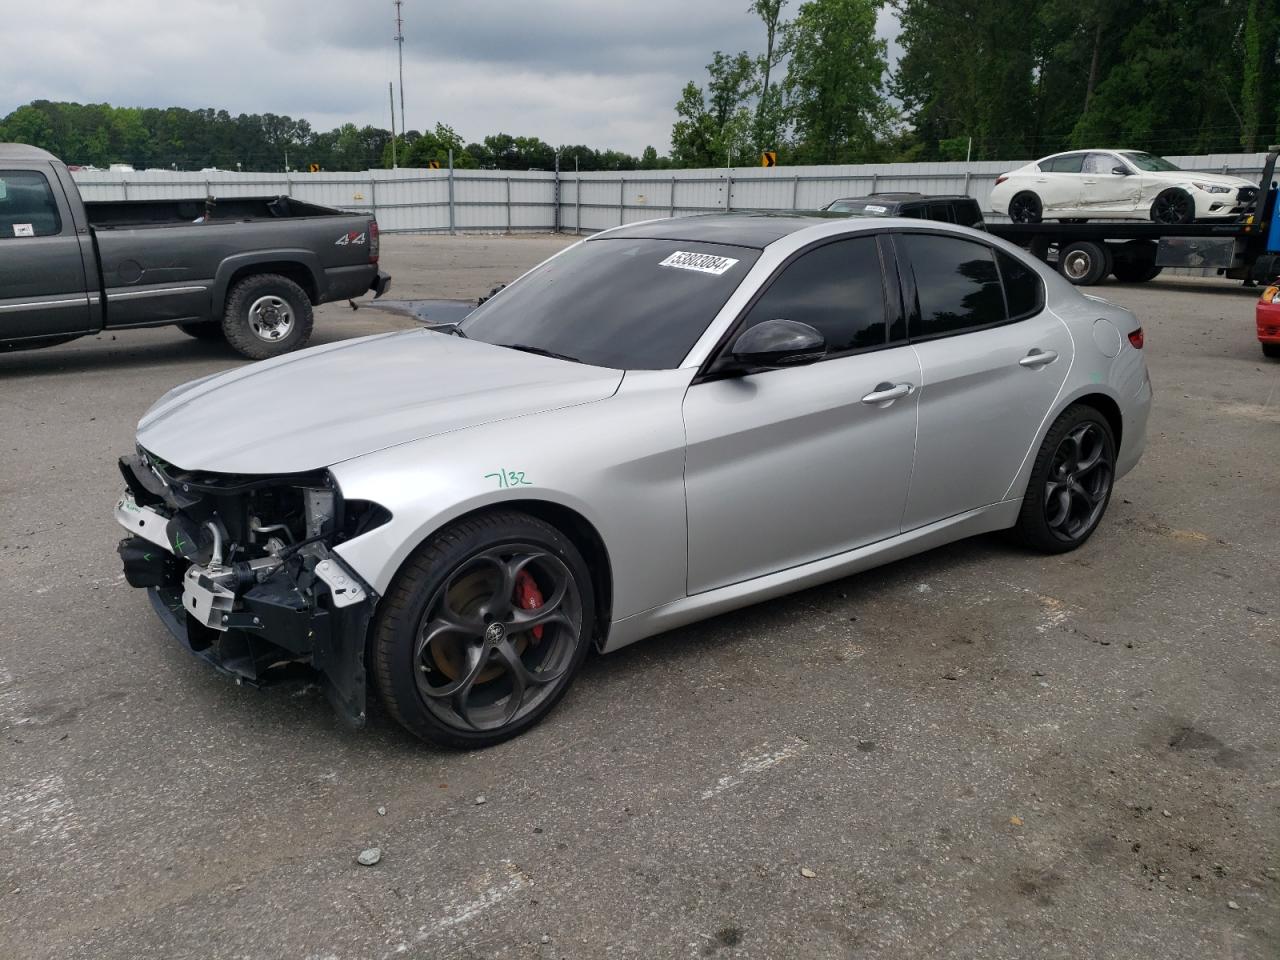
[994, 80]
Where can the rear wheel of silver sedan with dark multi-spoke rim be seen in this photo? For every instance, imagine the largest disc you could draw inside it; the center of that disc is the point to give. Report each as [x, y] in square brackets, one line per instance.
[1080, 437]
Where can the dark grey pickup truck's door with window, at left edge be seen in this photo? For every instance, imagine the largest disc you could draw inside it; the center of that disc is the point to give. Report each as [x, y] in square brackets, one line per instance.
[44, 290]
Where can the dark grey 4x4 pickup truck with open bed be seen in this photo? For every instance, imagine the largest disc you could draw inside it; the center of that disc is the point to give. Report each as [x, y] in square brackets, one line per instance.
[246, 269]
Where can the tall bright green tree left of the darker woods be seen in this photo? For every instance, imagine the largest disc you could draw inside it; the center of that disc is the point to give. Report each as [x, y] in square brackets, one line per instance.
[835, 80]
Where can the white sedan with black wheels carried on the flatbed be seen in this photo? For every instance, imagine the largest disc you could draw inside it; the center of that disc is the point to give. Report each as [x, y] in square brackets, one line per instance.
[1118, 185]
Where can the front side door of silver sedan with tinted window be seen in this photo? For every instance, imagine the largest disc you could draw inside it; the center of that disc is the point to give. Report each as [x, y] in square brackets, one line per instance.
[793, 465]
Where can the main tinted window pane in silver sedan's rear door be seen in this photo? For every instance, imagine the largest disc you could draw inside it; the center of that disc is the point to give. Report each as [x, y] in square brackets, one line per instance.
[957, 285]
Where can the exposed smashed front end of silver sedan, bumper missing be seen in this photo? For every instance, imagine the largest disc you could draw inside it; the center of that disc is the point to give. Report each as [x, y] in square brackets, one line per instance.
[243, 573]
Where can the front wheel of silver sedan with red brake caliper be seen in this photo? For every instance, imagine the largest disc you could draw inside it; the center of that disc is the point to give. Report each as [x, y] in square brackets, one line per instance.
[473, 653]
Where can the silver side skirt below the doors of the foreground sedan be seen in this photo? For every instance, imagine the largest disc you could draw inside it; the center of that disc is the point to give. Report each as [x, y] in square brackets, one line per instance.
[689, 610]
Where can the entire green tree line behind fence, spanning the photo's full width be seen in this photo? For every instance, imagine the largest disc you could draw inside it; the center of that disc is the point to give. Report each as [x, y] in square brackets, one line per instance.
[994, 80]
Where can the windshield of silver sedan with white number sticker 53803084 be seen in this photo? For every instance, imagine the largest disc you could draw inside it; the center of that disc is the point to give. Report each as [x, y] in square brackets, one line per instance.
[628, 304]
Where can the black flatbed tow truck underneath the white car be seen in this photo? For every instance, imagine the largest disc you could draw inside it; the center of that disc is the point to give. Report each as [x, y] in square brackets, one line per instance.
[1135, 252]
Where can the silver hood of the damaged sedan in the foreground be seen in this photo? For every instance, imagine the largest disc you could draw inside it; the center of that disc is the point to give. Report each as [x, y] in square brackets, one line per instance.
[330, 404]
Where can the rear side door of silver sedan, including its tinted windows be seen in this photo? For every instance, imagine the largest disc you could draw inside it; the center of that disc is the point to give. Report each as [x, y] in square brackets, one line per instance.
[993, 362]
